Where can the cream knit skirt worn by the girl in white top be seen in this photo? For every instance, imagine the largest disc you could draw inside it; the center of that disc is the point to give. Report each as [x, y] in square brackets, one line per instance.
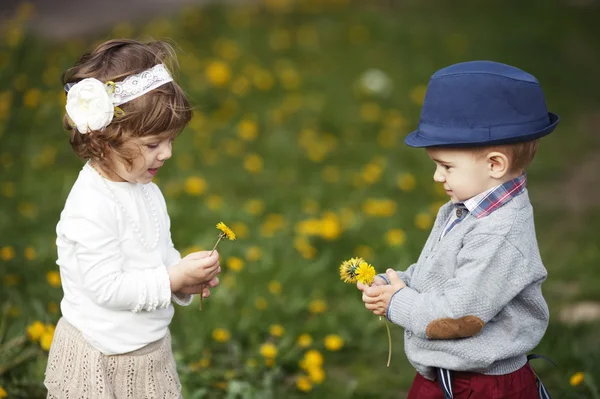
[78, 371]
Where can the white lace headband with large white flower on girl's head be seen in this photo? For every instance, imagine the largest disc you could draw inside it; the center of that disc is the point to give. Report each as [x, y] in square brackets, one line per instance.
[91, 104]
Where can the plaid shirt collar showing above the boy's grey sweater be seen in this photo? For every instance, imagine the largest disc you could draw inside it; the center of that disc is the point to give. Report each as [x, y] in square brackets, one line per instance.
[487, 202]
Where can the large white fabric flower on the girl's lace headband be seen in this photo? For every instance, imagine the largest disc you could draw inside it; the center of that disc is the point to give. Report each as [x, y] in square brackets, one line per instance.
[89, 105]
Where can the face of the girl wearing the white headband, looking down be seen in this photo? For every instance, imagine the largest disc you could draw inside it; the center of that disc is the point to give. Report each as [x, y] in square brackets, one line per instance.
[154, 152]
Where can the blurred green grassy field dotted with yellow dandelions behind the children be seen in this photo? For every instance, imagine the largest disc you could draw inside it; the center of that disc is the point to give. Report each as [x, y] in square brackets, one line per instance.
[301, 153]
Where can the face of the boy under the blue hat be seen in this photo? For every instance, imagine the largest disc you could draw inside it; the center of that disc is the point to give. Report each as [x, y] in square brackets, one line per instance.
[463, 174]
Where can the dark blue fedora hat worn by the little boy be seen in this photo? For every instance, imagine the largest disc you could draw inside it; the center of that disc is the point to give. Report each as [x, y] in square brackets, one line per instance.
[481, 103]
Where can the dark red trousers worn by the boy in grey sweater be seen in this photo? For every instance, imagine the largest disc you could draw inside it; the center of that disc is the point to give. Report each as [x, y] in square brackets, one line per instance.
[520, 384]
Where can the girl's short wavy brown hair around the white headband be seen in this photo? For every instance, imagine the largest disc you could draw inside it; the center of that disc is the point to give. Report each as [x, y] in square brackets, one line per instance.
[162, 112]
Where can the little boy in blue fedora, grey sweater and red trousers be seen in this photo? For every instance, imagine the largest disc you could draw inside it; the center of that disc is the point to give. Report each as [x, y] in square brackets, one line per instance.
[472, 305]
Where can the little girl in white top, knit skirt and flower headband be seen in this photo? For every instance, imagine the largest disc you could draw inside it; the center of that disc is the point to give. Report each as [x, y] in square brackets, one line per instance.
[118, 266]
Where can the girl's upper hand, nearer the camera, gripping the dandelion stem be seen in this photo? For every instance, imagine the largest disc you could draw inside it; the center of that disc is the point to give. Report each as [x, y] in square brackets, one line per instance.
[196, 268]
